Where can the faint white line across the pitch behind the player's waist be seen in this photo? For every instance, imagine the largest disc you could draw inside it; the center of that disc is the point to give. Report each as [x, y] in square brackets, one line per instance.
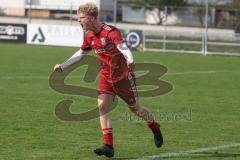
[169, 74]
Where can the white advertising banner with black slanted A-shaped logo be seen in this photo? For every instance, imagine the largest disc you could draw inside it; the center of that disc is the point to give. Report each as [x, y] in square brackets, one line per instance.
[59, 35]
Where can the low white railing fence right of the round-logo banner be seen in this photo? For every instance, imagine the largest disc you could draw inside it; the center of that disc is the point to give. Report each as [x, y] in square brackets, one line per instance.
[204, 44]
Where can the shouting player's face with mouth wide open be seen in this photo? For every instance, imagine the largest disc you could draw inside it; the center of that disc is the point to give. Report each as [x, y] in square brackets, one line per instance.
[85, 21]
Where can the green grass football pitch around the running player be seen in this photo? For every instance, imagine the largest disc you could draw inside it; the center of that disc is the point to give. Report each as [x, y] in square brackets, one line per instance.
[206, 89]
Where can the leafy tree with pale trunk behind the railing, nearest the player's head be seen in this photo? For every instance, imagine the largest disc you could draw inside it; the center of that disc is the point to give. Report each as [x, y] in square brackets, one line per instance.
[158, 5]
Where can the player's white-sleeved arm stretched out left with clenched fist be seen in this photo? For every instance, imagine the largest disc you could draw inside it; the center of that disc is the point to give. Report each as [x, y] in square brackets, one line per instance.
[75, 58]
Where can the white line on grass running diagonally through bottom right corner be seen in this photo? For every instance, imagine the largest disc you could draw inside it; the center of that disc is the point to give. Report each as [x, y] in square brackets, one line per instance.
[184, 153]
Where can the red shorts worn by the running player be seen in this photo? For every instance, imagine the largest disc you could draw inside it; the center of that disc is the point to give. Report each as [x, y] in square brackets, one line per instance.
[125, 88]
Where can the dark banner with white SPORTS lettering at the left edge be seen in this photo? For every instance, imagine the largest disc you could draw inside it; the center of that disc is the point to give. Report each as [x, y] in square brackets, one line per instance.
[13, 32]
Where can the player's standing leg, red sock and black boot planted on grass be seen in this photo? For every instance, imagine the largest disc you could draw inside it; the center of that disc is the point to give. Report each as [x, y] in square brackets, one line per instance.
[104, 103]
